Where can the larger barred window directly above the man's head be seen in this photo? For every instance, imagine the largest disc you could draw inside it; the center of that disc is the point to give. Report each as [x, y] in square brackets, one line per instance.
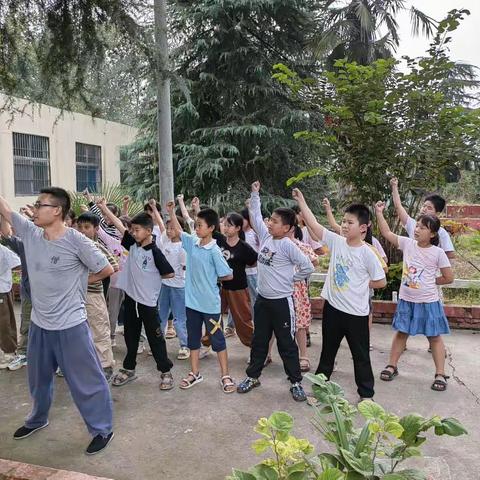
[31, 163]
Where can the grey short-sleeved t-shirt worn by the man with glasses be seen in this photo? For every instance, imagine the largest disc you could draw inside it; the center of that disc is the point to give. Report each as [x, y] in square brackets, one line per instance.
[58, 272]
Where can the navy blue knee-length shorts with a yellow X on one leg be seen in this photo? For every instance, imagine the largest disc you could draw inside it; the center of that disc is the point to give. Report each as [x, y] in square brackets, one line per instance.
[213, 325]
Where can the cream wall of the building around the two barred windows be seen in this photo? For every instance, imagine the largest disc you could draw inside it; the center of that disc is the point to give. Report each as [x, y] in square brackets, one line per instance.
[63, 130]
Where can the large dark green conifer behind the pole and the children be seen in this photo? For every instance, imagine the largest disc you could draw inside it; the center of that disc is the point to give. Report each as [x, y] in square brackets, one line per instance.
[236, 123]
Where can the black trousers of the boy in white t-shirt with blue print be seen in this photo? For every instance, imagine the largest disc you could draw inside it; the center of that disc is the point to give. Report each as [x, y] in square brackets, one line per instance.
[335, 326]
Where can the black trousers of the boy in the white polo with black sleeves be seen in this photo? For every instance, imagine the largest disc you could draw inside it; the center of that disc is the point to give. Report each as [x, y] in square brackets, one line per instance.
[135, 315]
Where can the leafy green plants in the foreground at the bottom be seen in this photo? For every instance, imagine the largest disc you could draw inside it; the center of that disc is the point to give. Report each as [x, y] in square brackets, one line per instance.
[375, 451]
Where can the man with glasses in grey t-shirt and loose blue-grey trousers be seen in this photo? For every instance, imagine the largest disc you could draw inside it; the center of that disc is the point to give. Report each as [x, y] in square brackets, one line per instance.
[59, 260]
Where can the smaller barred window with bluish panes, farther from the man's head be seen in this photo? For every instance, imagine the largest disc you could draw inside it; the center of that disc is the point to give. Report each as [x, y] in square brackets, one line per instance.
[89, 167]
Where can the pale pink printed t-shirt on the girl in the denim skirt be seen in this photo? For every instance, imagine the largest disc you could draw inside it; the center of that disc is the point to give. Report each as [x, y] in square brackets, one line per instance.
[420, 267]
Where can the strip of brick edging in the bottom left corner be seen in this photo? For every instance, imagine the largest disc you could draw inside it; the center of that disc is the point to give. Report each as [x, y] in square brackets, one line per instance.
[10, 470]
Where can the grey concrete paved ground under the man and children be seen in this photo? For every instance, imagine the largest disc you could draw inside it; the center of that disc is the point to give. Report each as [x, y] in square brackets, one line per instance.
[203, 433]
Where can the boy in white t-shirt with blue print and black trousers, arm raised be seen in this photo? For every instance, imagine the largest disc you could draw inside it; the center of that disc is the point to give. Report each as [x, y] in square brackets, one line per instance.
[354, 269]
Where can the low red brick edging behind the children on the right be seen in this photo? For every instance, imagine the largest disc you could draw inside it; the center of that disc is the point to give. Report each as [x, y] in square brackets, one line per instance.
[459, 316]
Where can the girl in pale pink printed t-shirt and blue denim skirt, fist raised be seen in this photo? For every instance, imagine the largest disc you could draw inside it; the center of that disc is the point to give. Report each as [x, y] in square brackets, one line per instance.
[419, 309]
